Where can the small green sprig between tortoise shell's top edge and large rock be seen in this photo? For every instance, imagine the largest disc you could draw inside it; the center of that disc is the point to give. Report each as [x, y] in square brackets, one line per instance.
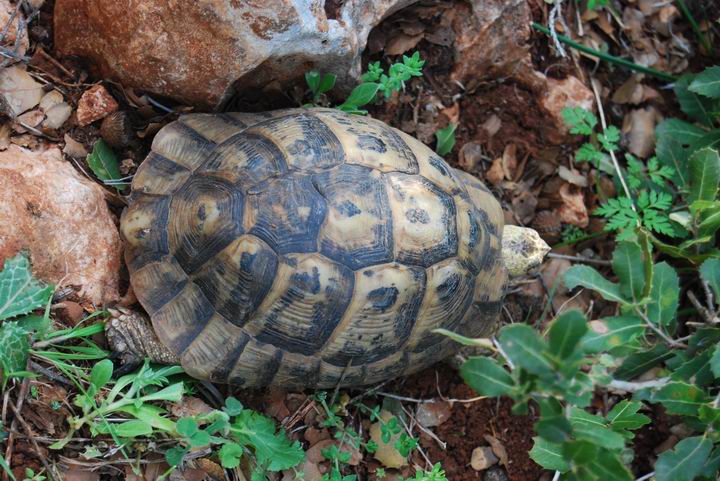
[374, 82]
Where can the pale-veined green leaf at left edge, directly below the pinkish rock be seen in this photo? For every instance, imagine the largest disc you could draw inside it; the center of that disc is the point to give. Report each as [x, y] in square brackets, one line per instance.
[20, 293]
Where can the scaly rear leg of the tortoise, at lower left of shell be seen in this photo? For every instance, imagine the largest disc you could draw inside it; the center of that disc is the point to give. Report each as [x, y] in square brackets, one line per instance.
[132, 339]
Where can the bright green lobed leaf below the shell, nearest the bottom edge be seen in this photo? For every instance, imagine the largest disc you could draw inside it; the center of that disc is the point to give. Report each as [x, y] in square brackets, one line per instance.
[272, 449]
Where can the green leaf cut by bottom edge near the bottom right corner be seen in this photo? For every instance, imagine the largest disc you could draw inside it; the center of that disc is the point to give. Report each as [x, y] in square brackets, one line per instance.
[684, 461]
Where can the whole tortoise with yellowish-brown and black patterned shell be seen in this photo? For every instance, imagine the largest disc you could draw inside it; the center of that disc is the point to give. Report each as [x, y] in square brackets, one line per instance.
[308, 248]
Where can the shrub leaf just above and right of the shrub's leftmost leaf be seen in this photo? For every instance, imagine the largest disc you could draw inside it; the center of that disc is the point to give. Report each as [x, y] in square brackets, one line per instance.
[525, 348]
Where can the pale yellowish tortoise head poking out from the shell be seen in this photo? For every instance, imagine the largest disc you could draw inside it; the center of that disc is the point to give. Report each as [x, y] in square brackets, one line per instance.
[522, 249]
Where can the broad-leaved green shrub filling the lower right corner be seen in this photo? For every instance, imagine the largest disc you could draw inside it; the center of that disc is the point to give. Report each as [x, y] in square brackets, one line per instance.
[560, 370]
